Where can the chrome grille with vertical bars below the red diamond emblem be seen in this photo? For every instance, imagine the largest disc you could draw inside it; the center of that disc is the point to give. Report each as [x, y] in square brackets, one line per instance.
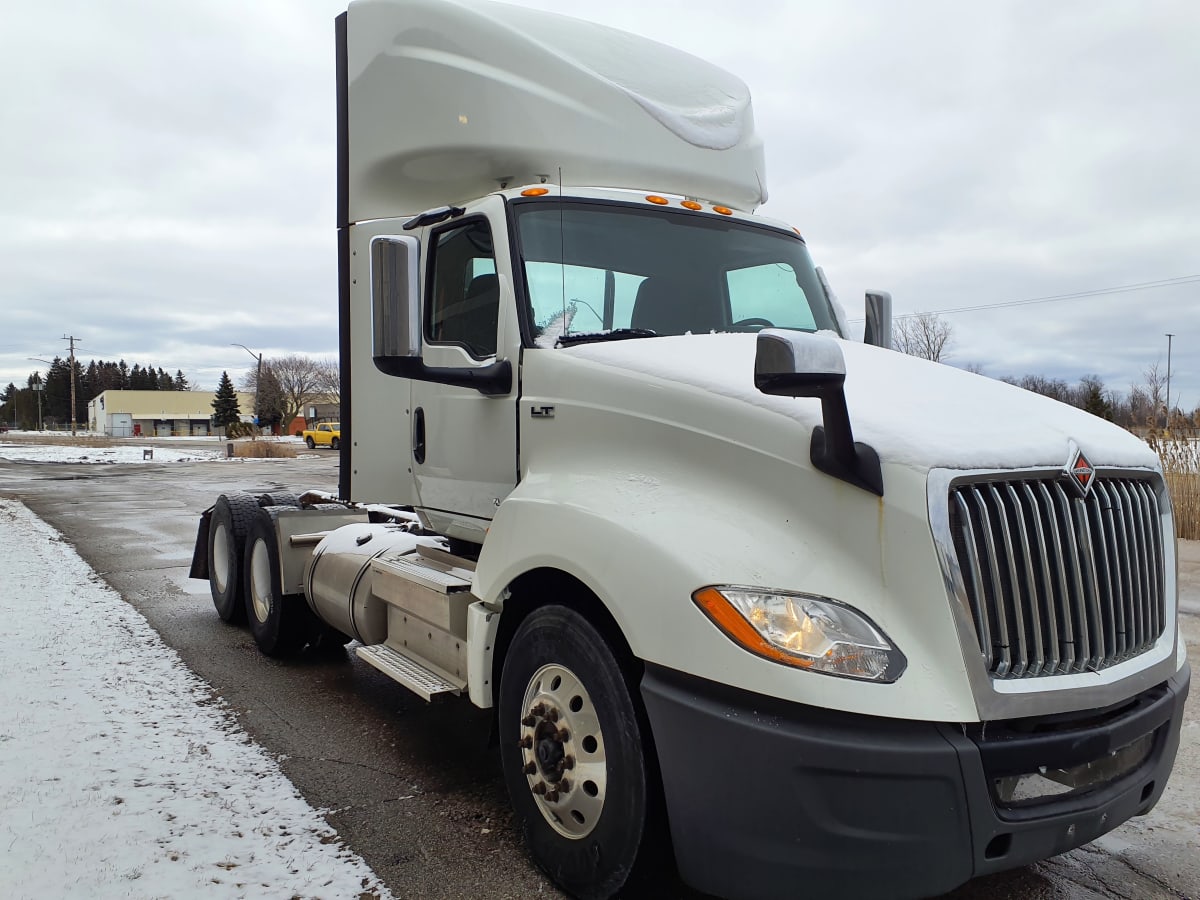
[1059, 584]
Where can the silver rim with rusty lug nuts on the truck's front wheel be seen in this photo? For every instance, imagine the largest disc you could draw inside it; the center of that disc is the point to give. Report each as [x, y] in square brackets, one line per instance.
[563, 752]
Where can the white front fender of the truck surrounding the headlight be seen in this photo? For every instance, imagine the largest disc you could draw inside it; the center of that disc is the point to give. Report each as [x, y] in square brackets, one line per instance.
[645, 544]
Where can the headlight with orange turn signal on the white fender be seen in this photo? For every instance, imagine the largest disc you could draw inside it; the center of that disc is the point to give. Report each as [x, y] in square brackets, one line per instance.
[806, 632]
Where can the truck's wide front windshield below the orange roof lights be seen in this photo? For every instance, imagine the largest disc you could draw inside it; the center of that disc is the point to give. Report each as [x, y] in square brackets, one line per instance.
[595, 268]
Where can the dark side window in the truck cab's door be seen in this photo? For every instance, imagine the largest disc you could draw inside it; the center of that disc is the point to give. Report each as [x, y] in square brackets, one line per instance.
[465, 299]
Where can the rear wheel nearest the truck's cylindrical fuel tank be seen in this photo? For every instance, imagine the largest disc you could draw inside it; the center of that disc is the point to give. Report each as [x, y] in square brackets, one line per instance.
[281, 623]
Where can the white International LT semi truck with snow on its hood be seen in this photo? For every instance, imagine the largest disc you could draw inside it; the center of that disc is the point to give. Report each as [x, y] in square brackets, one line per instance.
[802, 609]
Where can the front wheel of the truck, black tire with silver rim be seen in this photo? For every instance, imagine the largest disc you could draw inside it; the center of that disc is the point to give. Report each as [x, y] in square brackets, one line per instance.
[573, 752]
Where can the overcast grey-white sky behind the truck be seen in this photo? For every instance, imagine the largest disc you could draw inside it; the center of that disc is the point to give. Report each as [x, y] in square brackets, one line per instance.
[167, 172]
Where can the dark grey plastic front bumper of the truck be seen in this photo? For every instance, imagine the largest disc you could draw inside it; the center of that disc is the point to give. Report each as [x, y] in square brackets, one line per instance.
[769, 799]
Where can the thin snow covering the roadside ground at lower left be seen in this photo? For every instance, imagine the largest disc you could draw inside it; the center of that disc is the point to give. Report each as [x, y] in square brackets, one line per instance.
[121, 777]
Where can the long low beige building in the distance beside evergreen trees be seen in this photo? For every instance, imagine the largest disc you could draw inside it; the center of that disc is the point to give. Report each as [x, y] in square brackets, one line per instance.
[124, 415]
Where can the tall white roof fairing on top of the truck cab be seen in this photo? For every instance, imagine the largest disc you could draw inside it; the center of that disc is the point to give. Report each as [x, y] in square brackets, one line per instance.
[451, 99]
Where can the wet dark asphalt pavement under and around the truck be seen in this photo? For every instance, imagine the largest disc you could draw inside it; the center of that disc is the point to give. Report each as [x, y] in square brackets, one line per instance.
[413, 788]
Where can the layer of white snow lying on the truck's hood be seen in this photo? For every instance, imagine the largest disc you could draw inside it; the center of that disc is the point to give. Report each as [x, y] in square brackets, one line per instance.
[913, 412]
